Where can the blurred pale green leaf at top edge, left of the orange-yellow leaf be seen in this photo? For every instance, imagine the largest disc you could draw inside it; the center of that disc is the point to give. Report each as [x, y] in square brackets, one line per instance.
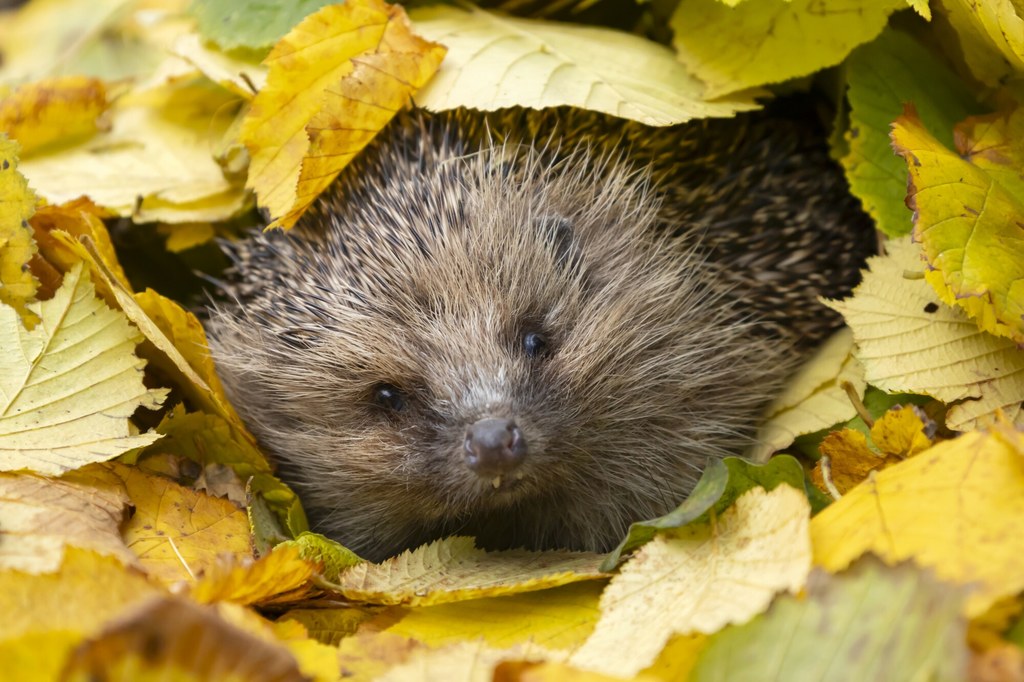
[253, 25]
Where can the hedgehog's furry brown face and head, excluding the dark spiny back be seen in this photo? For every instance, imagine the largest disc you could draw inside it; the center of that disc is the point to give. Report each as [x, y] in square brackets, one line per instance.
[511, 353]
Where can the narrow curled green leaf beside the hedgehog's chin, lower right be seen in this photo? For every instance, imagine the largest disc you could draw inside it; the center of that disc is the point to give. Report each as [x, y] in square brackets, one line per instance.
[722, 483]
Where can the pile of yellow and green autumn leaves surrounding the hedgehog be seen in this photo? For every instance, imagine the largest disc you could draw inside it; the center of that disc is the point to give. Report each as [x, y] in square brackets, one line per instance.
[144, 533]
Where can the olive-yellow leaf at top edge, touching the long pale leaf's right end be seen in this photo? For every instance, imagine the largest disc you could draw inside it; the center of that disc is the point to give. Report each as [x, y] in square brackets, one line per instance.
[771, 41]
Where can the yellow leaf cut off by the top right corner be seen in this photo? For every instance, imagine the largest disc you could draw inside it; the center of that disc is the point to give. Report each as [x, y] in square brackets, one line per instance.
[992, 37]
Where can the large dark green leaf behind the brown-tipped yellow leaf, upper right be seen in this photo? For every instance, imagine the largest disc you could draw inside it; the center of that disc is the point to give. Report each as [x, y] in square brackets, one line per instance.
[882, 76]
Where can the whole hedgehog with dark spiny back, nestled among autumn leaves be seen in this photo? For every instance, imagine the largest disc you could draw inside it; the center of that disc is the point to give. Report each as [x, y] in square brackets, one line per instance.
[533, 328]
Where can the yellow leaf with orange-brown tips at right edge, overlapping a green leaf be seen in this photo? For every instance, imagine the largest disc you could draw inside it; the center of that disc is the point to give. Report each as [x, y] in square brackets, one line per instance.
[968, 207]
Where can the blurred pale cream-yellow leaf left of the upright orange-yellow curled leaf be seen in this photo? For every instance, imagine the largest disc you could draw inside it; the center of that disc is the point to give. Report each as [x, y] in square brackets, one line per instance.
[158, 149]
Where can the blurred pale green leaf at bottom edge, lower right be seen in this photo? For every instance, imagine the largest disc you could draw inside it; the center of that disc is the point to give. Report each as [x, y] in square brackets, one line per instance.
[870, 623]
